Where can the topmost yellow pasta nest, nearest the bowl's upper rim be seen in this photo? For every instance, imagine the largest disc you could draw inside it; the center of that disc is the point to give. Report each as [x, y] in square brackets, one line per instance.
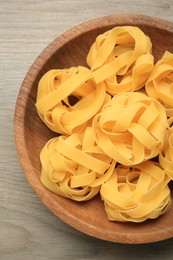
[122, 58]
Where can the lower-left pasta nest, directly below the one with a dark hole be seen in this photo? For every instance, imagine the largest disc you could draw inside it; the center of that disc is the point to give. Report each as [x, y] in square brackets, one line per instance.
[74, 166]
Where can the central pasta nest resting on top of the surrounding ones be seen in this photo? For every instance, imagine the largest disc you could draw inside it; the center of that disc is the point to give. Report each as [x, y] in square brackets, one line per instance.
[131, 128]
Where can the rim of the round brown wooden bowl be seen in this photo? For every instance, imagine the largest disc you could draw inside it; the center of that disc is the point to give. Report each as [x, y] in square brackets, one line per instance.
[19, 130]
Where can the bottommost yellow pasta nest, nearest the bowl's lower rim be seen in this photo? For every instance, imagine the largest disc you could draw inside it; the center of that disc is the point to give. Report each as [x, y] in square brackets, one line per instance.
[136, 193]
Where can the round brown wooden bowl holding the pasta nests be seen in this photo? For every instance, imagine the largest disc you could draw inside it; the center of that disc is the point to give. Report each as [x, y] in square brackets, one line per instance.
[70, 49]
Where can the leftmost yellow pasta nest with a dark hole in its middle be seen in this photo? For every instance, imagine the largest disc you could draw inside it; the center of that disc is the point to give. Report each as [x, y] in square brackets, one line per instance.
[67, 99]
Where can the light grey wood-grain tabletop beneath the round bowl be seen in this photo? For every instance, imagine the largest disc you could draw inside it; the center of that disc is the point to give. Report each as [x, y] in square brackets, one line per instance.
[28, 230]
